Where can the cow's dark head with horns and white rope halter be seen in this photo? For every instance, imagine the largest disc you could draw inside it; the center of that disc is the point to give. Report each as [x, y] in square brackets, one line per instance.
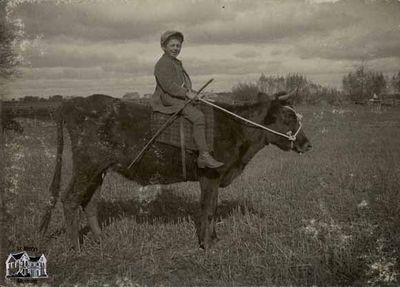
[283, 119]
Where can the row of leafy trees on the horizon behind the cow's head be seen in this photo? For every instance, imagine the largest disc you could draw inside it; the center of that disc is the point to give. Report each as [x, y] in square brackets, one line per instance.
[358, 85]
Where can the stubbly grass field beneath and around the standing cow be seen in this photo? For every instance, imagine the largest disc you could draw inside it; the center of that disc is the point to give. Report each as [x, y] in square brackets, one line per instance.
[328, 217]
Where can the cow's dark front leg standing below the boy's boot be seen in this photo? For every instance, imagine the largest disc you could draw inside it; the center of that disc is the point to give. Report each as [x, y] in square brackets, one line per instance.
[209, 191]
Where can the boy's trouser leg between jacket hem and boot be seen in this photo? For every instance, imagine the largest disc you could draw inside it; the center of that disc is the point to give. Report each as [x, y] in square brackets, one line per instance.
[196, 117]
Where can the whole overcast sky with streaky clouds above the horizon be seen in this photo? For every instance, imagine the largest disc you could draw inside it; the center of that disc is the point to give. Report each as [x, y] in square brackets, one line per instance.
[84, 47]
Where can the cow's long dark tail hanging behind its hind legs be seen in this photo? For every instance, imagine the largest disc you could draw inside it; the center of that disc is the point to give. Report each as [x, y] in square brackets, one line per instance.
[55, 184]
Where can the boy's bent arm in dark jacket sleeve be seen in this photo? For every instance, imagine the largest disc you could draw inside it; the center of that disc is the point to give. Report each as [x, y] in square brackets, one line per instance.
[167, 78]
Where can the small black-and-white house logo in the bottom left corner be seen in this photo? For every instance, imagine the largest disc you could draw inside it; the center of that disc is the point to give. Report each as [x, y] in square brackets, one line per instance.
[22, 266]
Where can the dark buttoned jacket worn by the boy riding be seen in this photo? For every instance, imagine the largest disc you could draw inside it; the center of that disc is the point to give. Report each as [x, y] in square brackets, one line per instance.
[172, 84]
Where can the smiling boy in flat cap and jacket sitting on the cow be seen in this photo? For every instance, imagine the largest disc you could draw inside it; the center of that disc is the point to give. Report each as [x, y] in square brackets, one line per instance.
[174, 88]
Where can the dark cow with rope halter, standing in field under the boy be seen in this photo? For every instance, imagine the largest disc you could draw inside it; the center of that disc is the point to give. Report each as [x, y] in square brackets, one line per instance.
[107, 133]
